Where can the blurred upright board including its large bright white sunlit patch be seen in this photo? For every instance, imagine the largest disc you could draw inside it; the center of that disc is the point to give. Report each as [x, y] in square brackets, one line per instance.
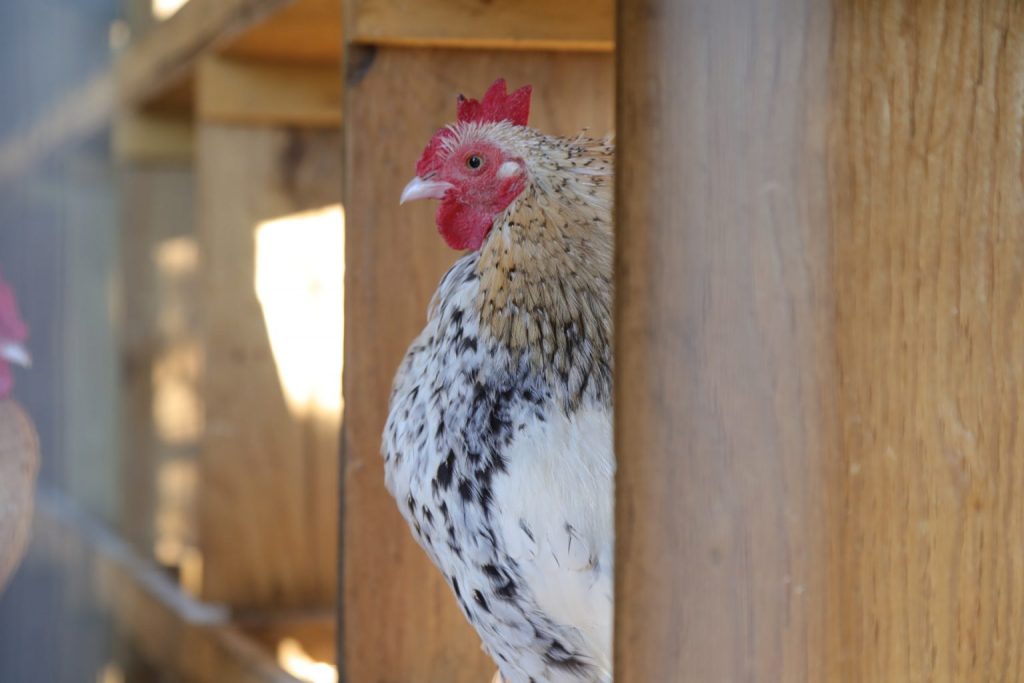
[268, 197]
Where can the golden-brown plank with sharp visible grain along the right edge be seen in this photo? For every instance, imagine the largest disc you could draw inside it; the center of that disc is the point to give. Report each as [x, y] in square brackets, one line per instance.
[928, 206]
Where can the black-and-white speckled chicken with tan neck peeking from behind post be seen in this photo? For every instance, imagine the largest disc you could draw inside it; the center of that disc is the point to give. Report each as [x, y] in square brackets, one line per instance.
[498, 445]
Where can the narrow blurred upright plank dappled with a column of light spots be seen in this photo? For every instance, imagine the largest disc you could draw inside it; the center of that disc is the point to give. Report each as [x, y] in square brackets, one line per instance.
[161, 414]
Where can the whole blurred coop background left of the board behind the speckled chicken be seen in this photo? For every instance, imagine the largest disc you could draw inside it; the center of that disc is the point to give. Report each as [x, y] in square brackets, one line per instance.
[182, 276]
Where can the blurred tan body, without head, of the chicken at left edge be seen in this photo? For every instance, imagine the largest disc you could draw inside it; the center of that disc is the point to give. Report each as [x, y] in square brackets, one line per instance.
[19, 466]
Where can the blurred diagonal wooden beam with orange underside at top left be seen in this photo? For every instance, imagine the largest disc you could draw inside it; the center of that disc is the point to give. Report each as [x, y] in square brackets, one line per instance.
[158, 71]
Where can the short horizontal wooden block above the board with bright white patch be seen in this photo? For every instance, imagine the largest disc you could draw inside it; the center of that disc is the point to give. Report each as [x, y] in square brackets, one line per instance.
[259, 94]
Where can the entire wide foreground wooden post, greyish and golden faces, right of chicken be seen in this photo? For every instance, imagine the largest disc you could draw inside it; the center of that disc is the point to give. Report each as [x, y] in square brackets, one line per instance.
[820, 359]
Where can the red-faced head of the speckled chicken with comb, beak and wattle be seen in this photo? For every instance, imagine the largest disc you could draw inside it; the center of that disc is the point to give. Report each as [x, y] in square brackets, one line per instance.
[473, 166]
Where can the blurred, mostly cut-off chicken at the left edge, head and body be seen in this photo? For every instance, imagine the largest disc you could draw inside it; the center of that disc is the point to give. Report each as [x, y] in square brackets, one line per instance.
[19, 446]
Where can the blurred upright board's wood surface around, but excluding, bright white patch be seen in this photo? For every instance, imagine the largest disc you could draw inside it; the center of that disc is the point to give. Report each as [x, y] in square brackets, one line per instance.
[269, 476]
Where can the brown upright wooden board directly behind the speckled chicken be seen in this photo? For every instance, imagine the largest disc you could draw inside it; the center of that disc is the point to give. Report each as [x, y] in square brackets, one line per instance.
[401, 620]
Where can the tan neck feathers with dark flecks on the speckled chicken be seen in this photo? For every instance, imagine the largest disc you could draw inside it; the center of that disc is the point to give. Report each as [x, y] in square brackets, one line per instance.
[546, 269]
